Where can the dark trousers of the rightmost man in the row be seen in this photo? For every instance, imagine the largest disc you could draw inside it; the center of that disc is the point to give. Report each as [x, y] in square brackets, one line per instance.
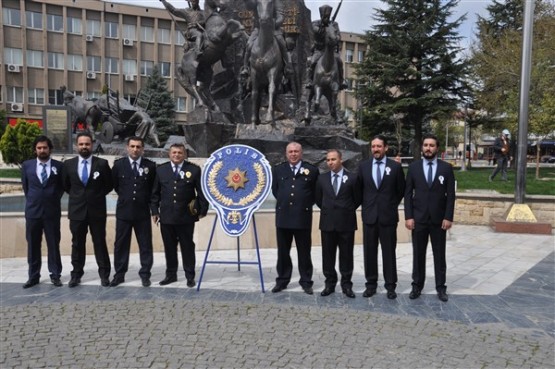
[420, 235]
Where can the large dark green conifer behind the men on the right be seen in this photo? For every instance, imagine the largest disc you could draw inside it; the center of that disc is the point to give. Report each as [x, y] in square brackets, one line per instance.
[412, 68]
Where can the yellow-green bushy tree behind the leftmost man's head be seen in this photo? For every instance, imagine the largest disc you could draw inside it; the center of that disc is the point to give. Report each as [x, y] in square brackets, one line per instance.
[16, 143]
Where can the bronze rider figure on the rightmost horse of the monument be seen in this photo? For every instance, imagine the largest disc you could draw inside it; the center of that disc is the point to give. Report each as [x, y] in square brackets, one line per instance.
[319, 30]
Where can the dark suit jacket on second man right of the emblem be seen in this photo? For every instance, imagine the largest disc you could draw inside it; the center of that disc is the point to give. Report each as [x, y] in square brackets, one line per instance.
[338, 212]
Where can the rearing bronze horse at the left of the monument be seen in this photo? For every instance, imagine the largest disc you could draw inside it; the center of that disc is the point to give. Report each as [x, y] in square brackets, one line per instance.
[195, 75]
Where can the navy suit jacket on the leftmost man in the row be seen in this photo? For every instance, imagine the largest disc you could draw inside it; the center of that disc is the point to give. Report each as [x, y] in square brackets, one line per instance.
[42, 201]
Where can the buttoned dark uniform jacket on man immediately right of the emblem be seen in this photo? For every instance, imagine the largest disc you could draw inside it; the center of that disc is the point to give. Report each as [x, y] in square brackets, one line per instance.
[294, 195]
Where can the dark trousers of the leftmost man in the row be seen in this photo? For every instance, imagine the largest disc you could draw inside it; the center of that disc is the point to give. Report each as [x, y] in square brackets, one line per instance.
[34, 229]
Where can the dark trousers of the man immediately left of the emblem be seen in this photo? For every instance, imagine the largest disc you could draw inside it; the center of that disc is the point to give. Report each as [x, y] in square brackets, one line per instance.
[172, 234]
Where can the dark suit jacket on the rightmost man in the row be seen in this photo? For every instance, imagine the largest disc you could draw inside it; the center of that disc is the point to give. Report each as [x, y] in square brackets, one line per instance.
[423, 203]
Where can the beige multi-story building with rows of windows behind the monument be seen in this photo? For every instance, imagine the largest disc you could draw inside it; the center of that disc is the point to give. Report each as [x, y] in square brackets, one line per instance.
[87, 44]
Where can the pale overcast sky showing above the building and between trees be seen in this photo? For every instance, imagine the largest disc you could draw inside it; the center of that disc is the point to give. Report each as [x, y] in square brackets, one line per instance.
[356, 15]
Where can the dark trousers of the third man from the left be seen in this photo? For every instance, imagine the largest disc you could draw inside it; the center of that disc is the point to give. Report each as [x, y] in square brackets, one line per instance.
[122, 245]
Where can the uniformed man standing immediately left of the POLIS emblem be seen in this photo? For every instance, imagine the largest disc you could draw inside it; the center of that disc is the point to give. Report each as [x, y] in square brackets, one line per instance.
[177, 203]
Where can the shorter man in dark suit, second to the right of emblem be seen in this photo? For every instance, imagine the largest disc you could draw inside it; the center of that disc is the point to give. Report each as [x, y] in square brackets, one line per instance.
[337, 197]
